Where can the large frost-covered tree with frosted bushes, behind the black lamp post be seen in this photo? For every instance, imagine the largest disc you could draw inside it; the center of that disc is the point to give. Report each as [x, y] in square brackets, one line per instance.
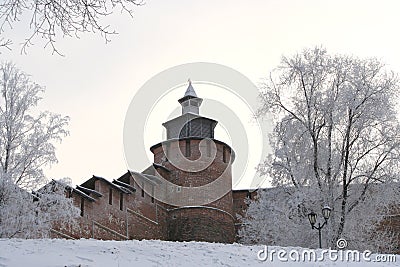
[336, 142]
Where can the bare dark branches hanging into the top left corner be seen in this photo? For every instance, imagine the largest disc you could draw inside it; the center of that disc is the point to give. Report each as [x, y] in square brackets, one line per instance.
[49, 19]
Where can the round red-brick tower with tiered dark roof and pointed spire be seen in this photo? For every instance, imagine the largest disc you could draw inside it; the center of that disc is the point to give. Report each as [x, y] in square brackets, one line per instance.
[199, 169]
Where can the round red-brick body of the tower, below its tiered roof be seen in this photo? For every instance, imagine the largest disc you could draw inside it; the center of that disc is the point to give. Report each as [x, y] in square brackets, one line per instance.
[214, 219]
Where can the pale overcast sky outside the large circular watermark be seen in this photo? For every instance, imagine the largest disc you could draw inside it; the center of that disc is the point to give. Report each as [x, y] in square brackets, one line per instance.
[95, 82]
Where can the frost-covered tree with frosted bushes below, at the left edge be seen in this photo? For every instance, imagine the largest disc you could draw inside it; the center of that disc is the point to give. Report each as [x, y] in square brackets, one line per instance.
[26, 147]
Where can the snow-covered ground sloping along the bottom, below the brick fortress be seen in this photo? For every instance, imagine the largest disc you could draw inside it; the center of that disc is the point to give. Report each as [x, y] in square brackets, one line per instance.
[52, 252]
